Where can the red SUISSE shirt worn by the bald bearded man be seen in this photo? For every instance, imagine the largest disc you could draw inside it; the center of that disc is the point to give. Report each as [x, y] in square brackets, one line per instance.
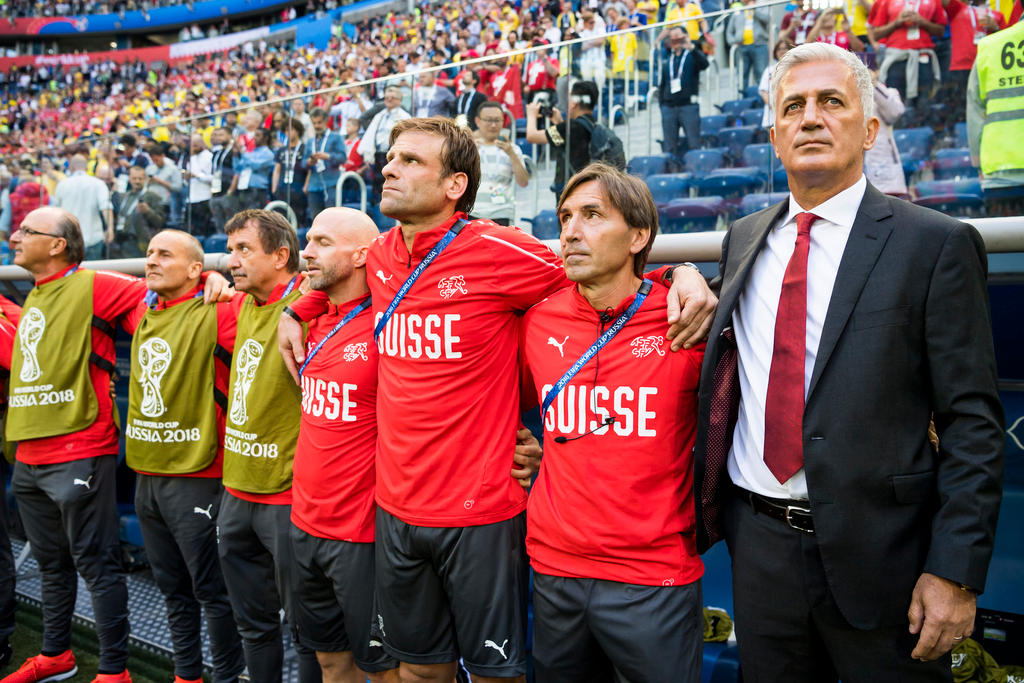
[333, 478]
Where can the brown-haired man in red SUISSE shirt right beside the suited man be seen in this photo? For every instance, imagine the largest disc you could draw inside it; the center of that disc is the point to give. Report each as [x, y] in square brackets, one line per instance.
[617, 584]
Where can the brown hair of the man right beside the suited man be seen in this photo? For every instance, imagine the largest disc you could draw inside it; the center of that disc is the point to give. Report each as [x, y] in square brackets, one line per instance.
[629, 195]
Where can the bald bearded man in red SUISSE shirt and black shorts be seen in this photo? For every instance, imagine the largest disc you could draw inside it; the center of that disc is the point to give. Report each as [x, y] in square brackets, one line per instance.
[333, 479]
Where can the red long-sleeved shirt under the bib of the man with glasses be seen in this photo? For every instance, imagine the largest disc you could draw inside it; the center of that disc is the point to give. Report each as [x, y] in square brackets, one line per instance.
[114, 295]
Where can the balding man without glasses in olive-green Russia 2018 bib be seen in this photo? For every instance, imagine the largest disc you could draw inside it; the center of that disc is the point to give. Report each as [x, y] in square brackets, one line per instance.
[175, 440]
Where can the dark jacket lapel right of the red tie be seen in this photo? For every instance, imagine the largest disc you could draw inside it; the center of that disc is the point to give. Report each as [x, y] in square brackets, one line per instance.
[868, 237]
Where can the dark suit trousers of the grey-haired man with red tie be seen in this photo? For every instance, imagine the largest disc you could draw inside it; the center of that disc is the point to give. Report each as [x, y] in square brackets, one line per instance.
[789, 628]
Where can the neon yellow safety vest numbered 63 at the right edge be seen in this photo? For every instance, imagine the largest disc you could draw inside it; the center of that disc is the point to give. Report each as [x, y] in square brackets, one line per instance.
[1001, 88]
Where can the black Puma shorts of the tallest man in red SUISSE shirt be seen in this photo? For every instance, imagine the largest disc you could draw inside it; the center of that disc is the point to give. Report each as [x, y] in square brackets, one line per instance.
[446, 593]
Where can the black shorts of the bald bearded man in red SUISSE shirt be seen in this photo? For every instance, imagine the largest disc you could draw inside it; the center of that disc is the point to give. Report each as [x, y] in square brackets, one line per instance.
[334, 599]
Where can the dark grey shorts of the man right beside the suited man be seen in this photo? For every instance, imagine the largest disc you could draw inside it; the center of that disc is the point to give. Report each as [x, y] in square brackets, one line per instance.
[587, 630]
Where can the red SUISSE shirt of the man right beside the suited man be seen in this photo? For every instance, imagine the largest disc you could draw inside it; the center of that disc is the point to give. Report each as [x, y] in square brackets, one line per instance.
[618, 504]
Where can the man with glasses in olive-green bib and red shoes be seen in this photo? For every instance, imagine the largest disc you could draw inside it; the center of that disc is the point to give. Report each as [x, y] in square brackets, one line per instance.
[61, 413]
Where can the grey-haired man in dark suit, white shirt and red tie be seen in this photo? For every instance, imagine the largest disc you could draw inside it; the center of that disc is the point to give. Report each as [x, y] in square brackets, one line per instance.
[848, 320]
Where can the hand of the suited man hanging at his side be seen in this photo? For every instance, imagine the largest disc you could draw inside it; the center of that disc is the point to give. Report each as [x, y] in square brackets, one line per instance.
[943, 614]
